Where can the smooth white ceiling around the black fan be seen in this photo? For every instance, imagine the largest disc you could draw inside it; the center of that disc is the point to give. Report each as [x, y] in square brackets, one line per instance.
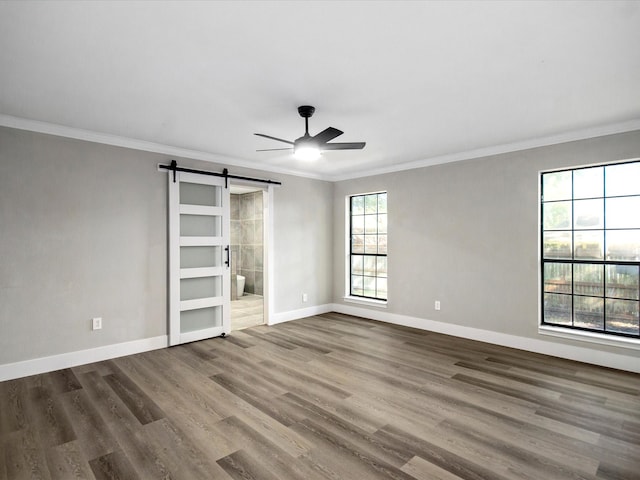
[420, 82]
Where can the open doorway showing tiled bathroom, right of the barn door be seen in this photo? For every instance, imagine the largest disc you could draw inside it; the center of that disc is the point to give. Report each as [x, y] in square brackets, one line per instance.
[248, 255]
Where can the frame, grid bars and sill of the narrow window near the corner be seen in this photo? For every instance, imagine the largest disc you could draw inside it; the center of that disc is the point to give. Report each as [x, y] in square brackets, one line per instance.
[349, 295]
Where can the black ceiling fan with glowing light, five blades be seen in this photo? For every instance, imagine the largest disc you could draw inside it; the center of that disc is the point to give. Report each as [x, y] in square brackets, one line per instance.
[308, 147]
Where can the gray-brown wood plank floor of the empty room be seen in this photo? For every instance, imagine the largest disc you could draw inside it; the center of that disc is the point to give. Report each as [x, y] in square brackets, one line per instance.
[327, 397]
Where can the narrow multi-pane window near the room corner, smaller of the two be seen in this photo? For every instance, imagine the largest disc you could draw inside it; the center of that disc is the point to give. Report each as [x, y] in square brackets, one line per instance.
[368, 246]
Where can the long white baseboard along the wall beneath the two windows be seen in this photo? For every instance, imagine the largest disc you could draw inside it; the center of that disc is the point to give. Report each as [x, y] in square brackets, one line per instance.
[581, 354]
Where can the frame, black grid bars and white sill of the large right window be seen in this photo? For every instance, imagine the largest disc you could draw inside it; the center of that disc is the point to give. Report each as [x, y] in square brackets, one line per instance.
[599, 335]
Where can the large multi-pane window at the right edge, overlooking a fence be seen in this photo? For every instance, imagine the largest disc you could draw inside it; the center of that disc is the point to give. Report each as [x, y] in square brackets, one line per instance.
[590, 241]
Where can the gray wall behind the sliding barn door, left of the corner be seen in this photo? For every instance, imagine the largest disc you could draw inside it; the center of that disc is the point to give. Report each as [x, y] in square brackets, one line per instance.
[83, 234]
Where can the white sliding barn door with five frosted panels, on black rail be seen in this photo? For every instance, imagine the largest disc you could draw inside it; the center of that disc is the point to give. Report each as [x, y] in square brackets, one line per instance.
[199, 274]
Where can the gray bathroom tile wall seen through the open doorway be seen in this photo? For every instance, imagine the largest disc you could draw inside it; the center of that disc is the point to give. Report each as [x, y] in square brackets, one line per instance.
[247, 246]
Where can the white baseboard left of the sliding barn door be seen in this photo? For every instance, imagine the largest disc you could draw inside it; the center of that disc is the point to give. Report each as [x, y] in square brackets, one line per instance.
[66, 360]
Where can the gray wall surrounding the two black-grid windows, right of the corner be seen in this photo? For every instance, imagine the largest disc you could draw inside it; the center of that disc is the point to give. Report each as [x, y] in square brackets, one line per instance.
[466, 234]
